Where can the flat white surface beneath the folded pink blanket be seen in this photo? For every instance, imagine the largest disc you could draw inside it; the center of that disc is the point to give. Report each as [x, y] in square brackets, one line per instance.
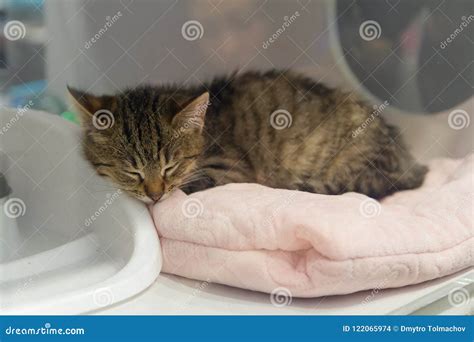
[172, 295]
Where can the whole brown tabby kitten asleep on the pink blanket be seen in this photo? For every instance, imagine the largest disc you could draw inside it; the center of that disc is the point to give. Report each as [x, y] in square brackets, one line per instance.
[279, 129]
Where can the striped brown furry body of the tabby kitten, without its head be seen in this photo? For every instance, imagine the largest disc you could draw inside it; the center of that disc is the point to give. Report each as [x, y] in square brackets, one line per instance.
[285, 130]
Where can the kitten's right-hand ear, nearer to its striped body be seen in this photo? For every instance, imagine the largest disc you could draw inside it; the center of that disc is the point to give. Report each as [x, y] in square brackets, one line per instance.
[191, 118]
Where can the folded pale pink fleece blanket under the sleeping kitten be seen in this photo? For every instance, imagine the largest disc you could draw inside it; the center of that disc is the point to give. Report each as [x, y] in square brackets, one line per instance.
[258, 238]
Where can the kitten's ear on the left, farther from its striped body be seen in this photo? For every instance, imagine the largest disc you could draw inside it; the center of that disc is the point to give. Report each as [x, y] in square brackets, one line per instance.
[88, 104]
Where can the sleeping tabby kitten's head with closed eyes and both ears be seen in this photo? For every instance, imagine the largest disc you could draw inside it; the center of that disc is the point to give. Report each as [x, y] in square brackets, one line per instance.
[146, 143]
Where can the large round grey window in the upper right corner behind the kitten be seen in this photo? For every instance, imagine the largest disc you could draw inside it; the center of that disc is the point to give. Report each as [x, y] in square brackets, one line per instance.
[417, 55]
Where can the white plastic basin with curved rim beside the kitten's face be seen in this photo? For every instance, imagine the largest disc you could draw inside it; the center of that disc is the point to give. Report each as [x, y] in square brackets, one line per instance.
[53, 260]
